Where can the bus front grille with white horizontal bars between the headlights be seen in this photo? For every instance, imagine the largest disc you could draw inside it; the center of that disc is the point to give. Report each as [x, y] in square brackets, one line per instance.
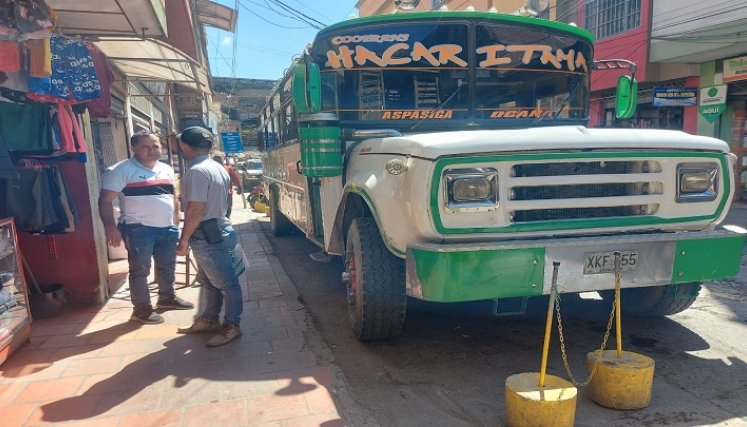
[583, 190]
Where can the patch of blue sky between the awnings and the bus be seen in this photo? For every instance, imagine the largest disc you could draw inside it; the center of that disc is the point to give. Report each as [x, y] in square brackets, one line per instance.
[267, 37]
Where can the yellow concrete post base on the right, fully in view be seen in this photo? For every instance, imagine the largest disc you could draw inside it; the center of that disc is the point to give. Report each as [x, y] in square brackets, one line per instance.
[621, 383]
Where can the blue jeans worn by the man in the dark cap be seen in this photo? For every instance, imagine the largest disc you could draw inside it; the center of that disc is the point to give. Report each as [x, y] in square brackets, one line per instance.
[217, 276]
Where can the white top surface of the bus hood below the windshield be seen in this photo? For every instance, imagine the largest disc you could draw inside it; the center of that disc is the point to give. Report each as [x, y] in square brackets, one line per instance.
[440, 144]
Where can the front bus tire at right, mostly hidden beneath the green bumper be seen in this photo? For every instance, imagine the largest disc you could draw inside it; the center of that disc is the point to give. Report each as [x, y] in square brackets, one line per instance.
[657, 301]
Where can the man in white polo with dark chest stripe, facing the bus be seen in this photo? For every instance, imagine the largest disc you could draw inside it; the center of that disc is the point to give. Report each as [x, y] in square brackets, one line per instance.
[148, 223]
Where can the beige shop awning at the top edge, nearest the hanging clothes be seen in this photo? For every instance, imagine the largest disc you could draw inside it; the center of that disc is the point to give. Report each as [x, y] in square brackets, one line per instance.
[126, 18]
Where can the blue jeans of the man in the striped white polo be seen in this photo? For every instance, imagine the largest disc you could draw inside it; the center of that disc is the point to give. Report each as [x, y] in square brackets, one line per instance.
[144, 243]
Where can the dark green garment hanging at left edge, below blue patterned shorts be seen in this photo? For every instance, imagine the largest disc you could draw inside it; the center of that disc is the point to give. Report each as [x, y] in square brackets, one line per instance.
[26, 128]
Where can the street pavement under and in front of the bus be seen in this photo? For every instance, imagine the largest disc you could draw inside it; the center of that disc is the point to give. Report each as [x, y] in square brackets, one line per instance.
[449, 366]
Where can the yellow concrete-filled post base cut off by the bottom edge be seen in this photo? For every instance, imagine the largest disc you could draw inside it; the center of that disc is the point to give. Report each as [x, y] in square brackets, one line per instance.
[528, 405]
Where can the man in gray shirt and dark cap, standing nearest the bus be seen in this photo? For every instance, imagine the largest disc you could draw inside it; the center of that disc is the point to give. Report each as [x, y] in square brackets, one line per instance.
[212, 239]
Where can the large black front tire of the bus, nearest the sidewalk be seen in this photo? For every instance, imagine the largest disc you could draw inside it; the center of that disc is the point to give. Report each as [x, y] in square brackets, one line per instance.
[377, 300]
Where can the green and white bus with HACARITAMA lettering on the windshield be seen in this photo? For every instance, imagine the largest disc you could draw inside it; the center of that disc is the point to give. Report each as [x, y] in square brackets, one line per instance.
[445, 156]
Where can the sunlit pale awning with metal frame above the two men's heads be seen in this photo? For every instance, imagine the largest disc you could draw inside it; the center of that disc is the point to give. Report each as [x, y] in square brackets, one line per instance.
[154, 60]
